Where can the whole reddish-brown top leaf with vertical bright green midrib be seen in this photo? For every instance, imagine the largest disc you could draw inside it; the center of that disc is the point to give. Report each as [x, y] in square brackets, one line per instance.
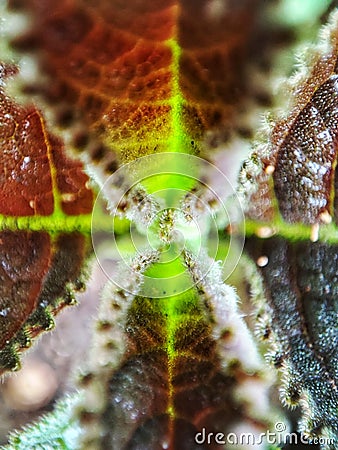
[145, 76]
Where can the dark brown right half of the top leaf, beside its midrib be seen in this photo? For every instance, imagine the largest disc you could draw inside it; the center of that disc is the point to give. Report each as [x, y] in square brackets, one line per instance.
[215, 46]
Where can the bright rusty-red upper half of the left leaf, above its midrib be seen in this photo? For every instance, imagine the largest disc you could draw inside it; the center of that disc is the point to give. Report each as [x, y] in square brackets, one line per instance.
[28, 155]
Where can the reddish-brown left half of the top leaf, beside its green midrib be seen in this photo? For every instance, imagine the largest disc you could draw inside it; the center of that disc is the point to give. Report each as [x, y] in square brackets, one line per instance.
[116, 63]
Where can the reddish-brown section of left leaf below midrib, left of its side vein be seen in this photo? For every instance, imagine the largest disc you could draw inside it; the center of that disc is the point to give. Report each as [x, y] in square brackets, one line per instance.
[24, 262]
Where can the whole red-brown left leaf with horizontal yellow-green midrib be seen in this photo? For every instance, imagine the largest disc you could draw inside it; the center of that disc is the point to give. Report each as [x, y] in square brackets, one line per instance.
[43, 200]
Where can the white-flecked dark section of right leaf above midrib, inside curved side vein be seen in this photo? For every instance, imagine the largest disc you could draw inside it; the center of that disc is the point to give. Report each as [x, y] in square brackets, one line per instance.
[305, 164]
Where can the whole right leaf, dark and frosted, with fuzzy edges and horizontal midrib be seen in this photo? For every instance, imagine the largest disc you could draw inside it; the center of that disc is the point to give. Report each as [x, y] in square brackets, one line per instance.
[293, 186]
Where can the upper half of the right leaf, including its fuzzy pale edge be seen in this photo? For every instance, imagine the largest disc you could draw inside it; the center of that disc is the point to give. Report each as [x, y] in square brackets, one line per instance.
[294, 173]
